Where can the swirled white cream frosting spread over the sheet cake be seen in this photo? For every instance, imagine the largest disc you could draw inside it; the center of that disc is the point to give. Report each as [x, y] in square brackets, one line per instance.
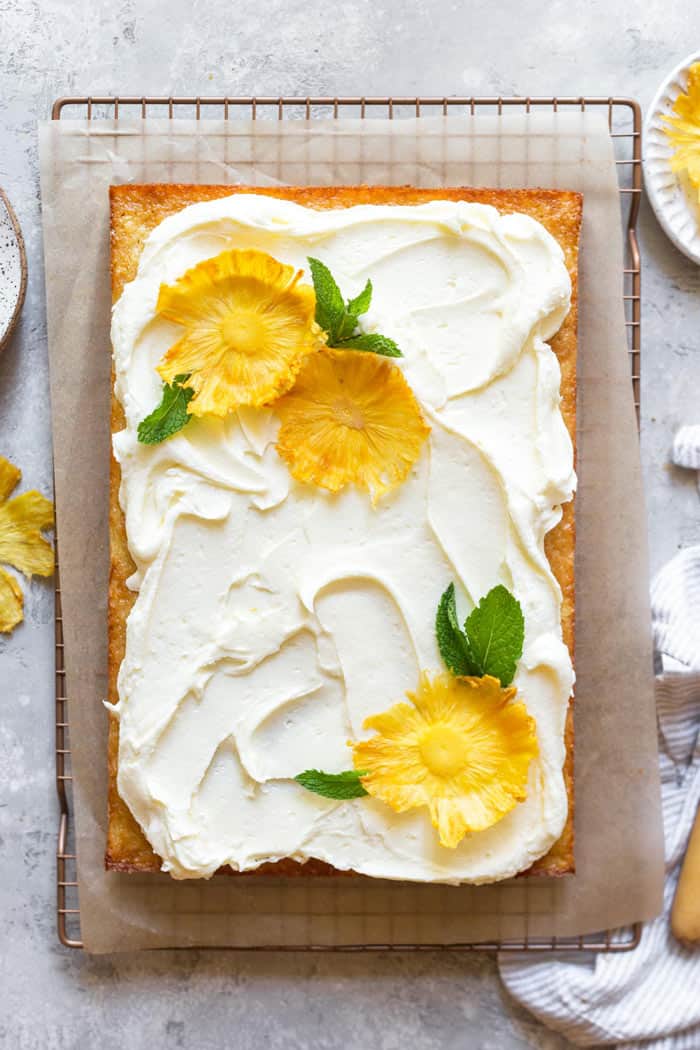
[272, 618]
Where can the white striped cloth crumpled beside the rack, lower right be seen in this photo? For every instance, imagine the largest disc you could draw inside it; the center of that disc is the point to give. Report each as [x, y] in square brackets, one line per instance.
[649, 999]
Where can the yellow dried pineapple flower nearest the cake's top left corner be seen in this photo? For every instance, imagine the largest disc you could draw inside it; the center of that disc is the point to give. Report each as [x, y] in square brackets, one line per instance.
[249, 325]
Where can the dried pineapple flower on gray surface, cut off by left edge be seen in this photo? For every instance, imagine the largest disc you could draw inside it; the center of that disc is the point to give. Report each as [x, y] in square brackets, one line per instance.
[22, 543]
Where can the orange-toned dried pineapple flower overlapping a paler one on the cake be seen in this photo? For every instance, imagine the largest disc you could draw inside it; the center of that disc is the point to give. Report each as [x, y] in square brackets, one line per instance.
[351, 418]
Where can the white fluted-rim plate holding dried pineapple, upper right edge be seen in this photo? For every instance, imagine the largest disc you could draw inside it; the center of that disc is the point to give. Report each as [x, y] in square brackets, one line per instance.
[673, 199]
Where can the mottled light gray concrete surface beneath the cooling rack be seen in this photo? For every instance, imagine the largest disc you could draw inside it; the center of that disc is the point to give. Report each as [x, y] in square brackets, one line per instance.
[56, 1000]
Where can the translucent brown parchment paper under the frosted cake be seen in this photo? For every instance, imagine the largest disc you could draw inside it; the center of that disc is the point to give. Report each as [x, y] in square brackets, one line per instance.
[620, 854]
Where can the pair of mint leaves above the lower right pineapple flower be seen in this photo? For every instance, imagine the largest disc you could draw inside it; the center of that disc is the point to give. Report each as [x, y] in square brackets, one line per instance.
[492, 641]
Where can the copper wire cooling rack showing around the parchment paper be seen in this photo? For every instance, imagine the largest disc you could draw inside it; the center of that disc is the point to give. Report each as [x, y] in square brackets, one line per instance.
[625, 123]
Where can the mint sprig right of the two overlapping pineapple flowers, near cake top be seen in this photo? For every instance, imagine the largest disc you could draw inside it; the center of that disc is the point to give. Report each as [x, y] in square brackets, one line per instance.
[341, 320]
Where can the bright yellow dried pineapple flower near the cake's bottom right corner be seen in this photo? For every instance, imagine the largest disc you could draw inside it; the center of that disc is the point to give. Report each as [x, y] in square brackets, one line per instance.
[461, 747]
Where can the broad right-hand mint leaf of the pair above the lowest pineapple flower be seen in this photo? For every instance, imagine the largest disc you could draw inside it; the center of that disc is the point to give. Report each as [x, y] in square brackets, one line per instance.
[496, 634]
